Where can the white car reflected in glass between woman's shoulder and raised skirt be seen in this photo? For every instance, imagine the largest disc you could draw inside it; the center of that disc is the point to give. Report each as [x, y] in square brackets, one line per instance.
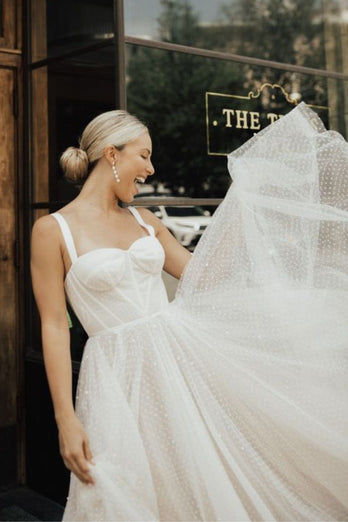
[186, 223]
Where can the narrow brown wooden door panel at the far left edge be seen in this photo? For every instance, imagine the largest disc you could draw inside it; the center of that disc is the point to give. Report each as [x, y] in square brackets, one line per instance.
[8, 278]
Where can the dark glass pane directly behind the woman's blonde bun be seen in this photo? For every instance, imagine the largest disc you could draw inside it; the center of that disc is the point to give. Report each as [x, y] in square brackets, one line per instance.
[65, 97]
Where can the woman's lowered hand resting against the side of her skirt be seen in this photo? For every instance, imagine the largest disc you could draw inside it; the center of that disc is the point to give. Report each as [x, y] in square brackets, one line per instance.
[74, 448]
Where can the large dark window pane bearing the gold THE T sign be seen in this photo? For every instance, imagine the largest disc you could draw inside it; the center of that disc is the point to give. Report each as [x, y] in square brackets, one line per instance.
[192, 131]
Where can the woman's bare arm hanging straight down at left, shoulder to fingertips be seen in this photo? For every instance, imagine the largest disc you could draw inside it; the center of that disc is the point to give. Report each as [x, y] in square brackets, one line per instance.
[47, 271]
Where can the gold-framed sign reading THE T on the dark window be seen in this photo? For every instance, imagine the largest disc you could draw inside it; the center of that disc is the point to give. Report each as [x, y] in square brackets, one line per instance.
[232, 119]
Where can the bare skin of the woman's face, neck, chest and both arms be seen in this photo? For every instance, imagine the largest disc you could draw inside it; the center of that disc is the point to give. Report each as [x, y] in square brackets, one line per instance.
[96, 221]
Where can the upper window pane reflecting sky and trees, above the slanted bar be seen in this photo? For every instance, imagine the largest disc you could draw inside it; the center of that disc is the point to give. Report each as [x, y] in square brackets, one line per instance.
[312, 33]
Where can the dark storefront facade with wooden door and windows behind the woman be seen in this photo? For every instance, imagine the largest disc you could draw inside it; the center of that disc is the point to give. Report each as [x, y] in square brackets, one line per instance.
[204, 76]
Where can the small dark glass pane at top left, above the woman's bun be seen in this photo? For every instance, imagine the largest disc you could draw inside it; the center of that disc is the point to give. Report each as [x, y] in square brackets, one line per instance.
[60, 27]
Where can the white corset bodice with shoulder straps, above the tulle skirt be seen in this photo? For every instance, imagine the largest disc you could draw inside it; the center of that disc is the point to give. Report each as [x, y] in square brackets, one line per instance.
[108, 287]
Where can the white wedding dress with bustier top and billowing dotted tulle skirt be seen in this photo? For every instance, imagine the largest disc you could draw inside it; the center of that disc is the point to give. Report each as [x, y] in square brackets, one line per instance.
[229, 403]
